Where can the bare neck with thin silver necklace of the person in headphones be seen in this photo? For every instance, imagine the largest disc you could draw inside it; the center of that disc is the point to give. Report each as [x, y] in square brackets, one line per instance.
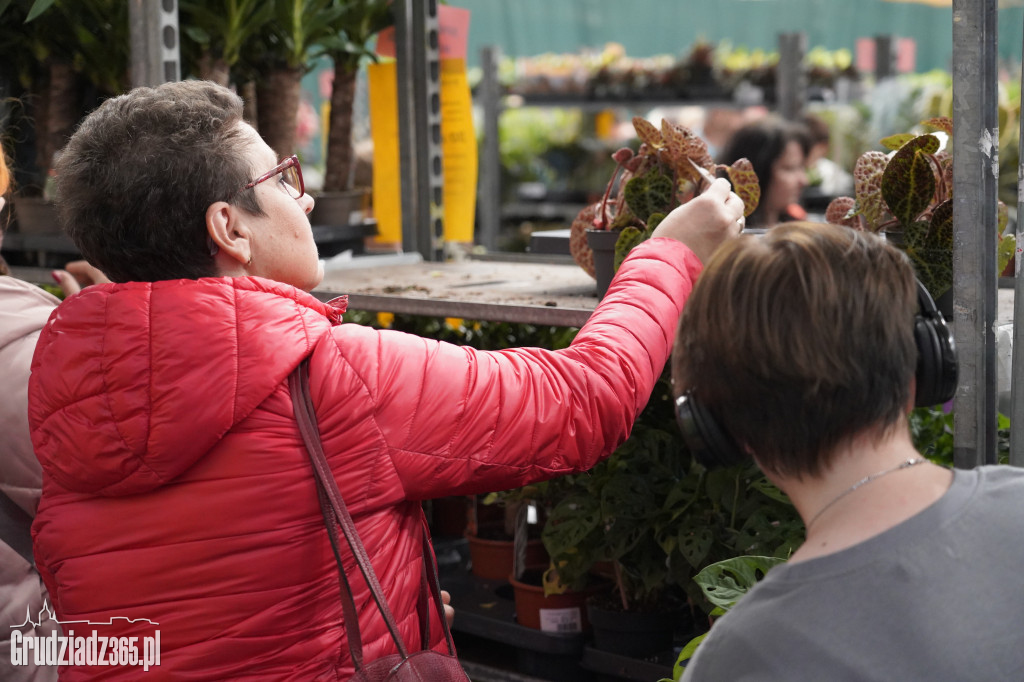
[868, 490]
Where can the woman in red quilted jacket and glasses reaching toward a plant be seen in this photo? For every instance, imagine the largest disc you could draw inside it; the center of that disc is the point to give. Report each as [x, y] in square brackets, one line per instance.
[177, 487]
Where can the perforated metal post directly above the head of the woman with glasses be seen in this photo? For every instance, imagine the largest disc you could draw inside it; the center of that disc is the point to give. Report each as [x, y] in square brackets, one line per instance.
[155, 44]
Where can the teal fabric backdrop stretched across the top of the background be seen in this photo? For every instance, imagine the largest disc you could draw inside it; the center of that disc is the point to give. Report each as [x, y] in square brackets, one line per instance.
[524, 28]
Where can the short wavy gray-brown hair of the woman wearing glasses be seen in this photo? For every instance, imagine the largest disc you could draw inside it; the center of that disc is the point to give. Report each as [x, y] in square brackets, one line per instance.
[136, 180]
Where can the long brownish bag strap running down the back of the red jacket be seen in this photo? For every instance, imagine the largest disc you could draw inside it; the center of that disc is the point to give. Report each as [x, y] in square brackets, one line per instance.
[333, 505]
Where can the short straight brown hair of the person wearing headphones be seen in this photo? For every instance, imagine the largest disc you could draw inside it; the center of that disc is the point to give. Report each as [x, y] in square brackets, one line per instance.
[799, 340]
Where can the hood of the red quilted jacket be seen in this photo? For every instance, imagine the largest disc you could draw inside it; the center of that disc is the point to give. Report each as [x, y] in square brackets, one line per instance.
[133, 383]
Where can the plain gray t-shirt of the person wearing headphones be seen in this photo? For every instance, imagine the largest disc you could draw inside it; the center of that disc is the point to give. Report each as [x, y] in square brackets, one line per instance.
[938, 598]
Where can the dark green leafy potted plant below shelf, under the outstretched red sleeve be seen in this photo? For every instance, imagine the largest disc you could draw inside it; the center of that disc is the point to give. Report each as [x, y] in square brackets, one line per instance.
[657, 518]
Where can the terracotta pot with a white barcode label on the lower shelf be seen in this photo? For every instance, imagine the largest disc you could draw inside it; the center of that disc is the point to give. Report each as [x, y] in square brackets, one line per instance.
[565, 613]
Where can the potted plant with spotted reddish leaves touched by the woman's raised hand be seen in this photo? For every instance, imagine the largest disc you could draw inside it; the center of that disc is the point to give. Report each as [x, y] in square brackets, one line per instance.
[646, 187]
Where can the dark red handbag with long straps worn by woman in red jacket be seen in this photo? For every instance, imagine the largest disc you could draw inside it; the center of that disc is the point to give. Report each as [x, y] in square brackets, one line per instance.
[424, 665]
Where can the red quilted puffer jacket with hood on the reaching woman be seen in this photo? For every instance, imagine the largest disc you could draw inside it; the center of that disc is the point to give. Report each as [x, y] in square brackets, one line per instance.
[177, 488]
